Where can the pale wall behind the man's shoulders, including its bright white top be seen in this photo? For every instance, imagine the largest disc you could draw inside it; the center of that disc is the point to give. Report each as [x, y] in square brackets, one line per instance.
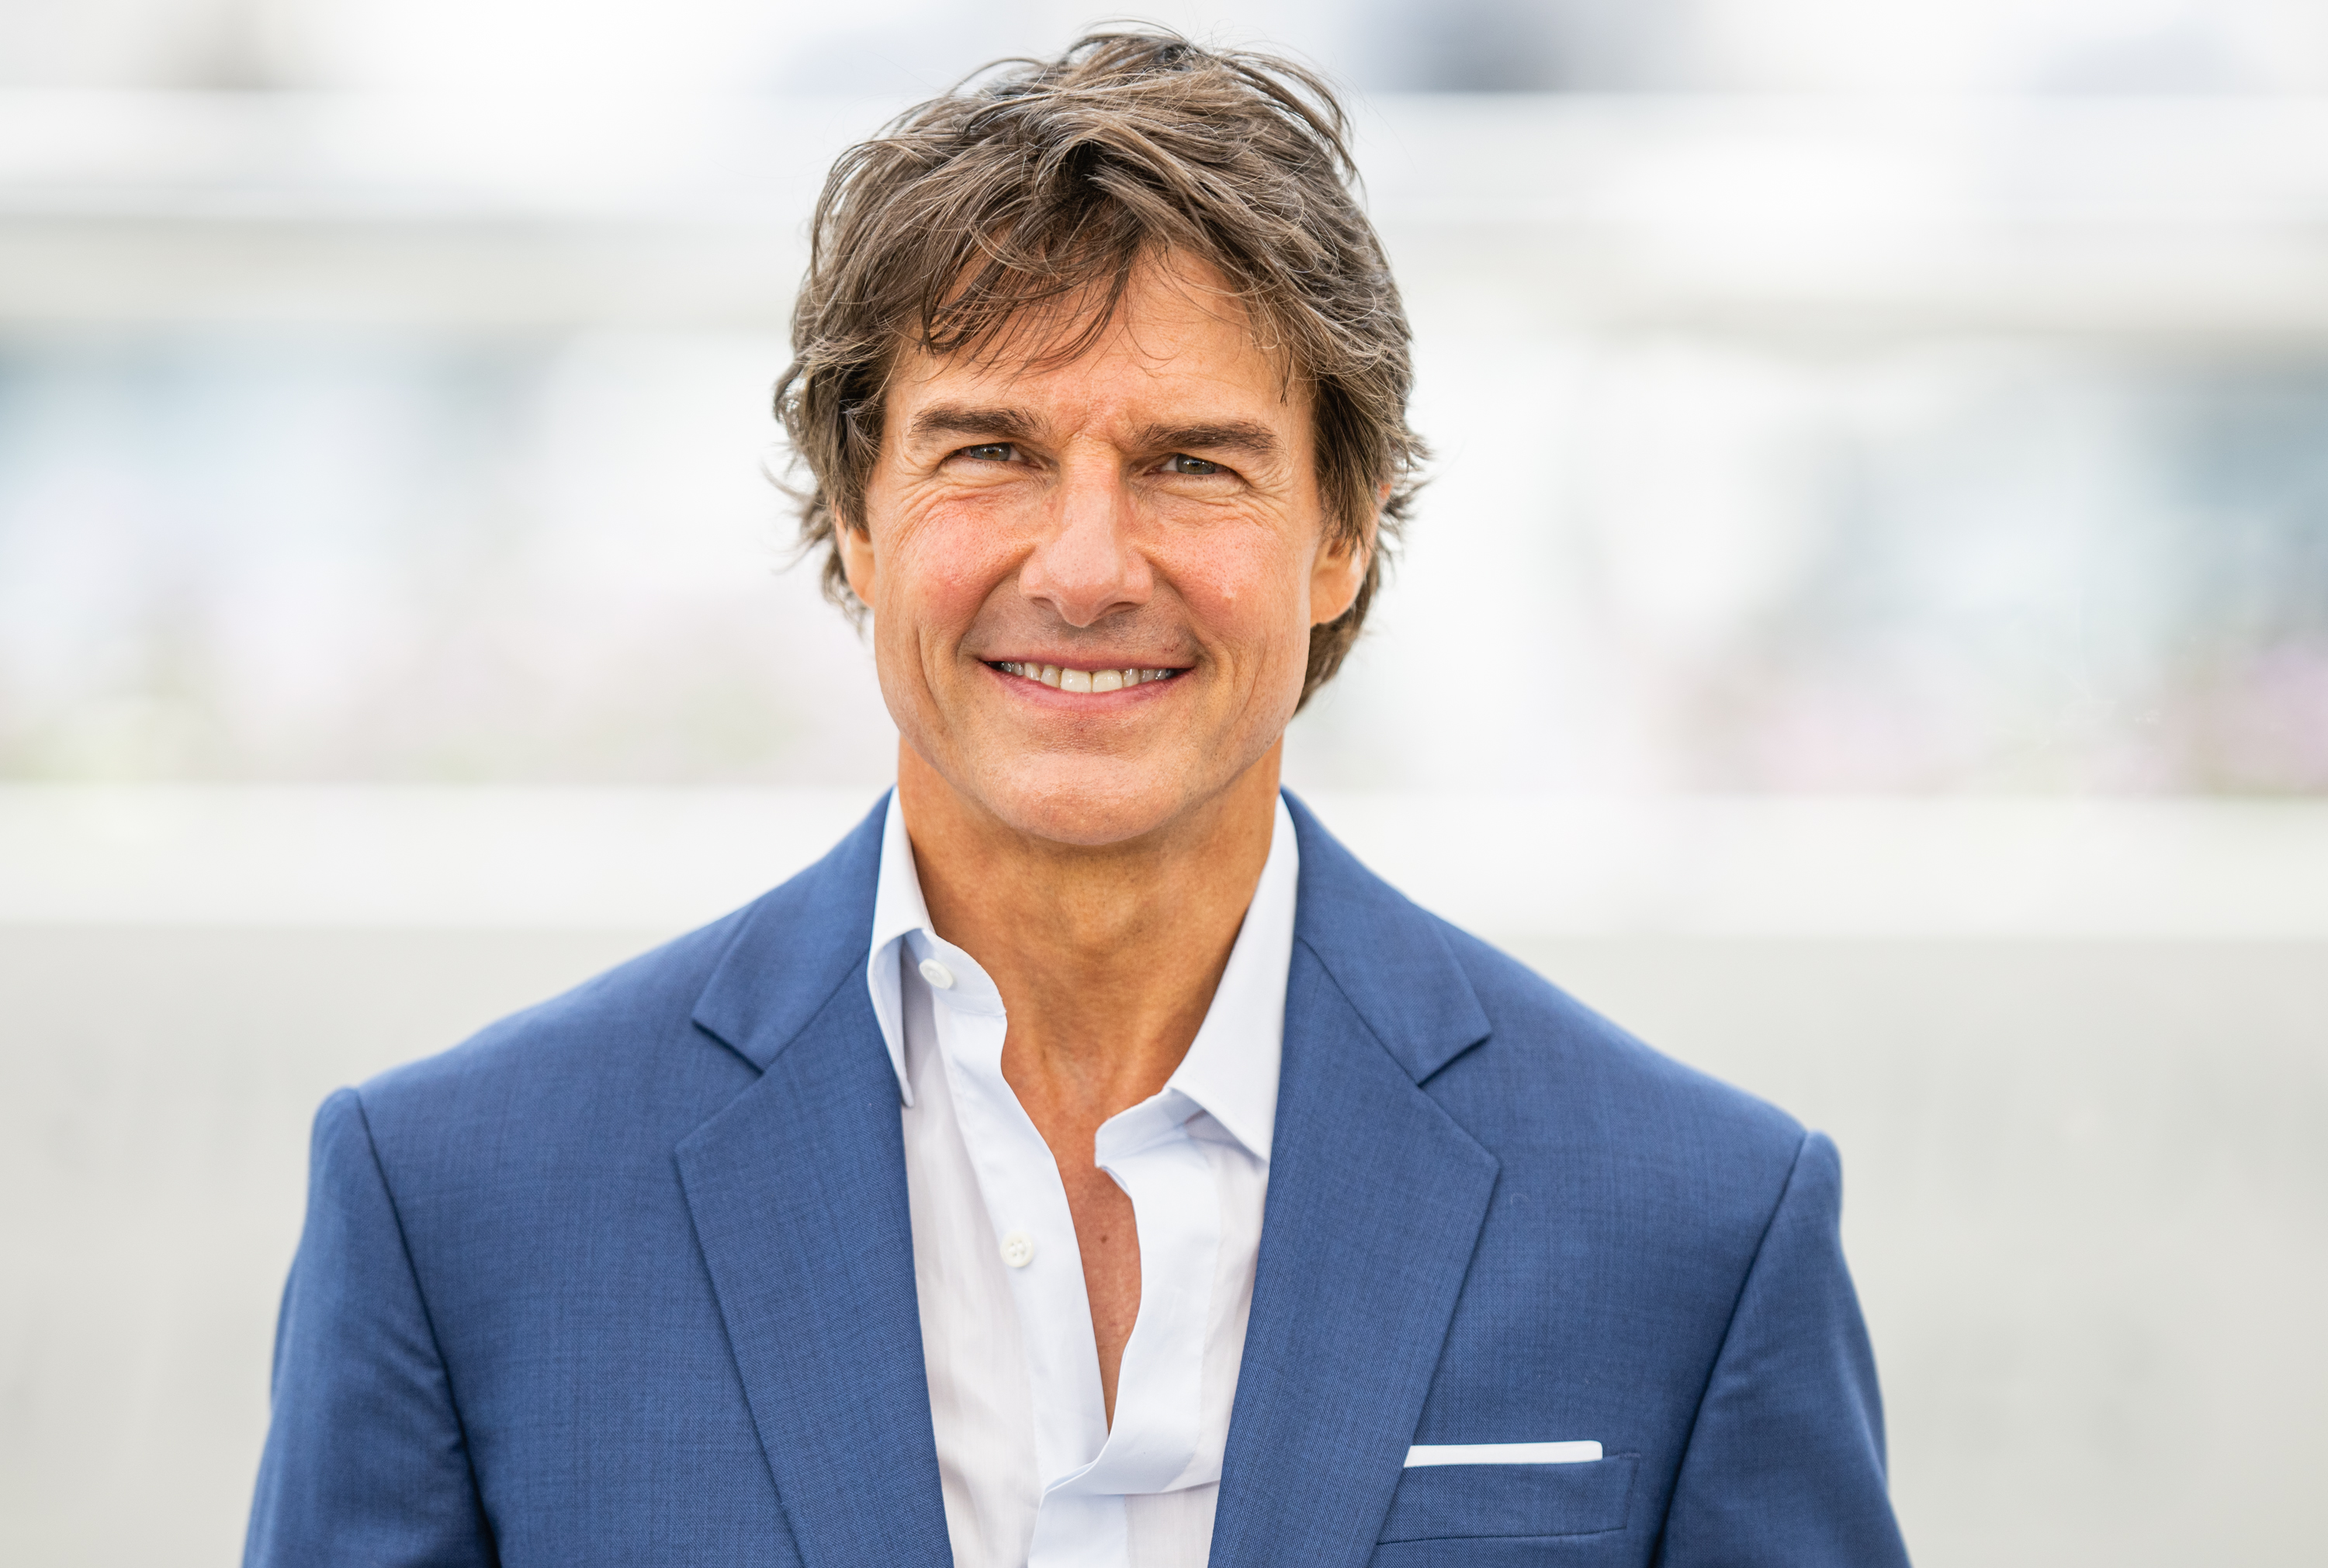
[2080, 1118]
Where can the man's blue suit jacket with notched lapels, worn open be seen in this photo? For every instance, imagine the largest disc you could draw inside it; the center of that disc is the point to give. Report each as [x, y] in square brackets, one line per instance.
[627, 1281]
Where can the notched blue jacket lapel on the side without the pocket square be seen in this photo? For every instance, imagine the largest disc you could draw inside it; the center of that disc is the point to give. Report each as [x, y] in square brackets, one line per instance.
[797, 1192]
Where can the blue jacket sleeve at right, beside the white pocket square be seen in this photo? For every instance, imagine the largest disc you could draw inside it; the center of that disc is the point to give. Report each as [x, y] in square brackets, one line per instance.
[1784, 1467]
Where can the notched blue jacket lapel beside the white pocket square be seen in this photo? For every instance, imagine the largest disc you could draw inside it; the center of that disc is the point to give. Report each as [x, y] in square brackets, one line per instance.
[1375, 1209]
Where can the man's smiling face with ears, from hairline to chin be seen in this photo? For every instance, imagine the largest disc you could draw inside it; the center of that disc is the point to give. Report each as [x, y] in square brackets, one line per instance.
[1093, 583]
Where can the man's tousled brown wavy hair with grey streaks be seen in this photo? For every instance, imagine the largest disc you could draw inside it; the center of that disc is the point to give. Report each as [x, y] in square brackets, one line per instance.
[1042, 183]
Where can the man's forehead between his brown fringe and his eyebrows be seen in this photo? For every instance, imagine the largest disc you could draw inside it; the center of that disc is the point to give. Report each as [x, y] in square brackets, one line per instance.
[1177, 343]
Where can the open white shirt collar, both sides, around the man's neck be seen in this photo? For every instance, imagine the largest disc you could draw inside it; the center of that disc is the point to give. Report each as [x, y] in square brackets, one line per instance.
[1230, 1069]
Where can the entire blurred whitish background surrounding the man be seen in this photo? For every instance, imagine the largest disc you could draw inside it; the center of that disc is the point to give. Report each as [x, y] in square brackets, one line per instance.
[1880, 553]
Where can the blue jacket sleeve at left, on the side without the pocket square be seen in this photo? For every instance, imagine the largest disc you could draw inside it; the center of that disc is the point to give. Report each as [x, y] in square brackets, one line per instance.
[364, 1460]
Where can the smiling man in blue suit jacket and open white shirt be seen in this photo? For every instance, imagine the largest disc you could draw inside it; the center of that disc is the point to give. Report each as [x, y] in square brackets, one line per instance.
[1088, 1162]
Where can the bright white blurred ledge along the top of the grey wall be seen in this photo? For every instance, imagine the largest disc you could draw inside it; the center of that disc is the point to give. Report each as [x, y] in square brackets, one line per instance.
[1507, 864]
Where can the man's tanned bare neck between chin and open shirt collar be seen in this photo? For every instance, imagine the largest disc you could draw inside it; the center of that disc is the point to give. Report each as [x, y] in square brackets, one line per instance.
[1107, 957]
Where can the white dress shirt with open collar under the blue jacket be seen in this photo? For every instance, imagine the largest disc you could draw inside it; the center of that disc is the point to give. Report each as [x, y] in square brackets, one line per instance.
[1032, 1471]
